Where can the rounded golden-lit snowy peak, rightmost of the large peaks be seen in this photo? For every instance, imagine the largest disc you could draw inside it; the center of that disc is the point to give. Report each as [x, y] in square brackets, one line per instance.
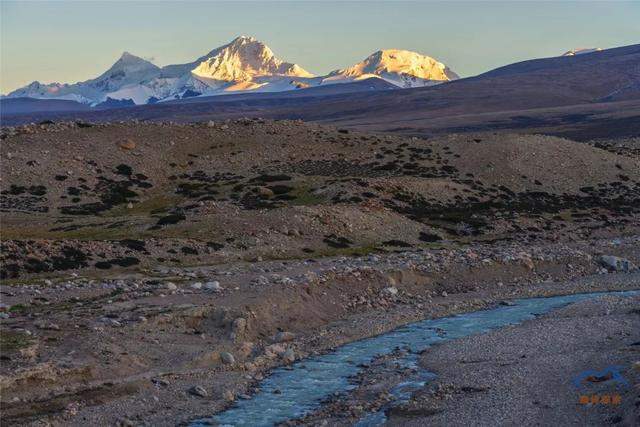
[400, 67]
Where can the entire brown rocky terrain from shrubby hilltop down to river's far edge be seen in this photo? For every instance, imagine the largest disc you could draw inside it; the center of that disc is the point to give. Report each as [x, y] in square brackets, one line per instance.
[154, 273]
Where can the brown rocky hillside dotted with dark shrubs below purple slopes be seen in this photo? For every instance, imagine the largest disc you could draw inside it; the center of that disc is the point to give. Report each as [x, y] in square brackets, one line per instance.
[146, 194]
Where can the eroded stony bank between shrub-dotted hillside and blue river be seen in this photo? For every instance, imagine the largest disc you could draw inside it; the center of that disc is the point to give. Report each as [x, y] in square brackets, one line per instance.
[141, 350]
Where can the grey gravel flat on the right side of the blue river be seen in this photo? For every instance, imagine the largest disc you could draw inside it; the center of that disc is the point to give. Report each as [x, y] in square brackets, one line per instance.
[517, 374]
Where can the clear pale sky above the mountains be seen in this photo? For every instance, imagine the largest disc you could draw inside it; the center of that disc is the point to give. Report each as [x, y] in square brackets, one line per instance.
[69, 41]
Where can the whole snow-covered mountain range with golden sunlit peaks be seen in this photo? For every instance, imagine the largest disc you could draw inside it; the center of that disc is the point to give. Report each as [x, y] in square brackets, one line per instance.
[243, 65]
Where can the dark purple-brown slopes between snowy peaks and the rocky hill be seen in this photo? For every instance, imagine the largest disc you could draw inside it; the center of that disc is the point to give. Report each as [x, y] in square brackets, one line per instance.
[584, 96]
